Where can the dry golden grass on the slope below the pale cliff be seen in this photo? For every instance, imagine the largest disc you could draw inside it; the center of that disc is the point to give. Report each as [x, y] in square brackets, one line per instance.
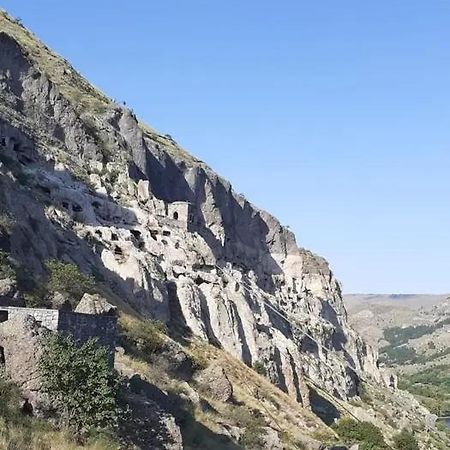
[252, 393]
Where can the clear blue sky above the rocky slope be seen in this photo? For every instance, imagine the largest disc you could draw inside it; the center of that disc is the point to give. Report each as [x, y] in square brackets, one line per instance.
[333, 115]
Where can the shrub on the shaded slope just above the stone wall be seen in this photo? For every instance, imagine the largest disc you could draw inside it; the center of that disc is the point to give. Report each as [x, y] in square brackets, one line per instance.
[67, 278]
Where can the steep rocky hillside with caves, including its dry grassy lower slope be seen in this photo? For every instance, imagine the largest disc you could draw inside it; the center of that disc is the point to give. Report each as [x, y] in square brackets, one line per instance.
[232, 335]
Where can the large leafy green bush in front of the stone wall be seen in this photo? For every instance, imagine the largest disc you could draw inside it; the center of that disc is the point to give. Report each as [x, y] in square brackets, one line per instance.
[80, 383]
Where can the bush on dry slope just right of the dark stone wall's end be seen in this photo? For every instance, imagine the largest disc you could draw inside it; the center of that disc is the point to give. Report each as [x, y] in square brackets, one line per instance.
[141, 338]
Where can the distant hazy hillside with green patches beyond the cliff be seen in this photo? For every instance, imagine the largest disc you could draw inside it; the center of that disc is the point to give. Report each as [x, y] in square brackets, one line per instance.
[413, 333]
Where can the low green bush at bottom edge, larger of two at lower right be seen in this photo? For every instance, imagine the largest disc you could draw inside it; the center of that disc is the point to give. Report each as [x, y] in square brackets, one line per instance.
[364, 433]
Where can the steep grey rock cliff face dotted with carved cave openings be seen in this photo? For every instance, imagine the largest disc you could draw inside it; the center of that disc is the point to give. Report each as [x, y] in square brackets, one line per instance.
[86, 182]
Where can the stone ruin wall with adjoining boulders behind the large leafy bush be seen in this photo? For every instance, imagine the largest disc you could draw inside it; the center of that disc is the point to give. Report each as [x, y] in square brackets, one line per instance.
[22, 330]
